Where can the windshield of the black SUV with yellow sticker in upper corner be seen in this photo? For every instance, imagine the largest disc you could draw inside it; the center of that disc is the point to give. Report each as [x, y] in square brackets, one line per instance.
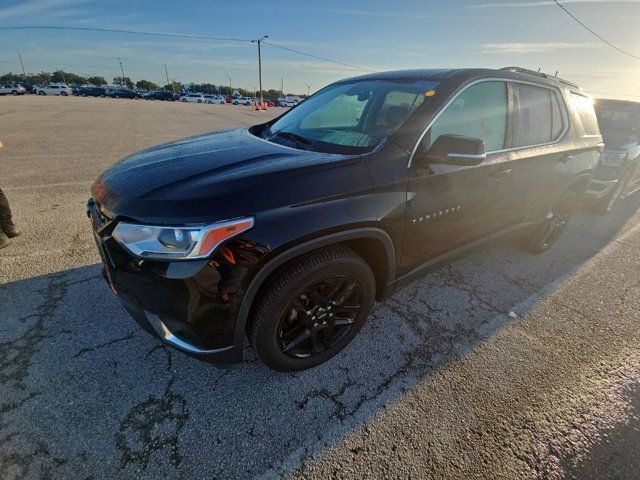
[350, 117]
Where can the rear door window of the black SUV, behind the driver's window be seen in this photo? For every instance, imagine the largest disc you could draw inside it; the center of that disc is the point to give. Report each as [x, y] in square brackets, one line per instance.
[538, 118]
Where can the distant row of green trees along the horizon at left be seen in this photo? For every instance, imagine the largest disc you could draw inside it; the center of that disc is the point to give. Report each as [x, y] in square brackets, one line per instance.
[69, 78]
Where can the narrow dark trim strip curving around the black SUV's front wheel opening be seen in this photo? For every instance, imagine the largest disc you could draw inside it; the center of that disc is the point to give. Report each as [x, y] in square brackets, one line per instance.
[293, 252]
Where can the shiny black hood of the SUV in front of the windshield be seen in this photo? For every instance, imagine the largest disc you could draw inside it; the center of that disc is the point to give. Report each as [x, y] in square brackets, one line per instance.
[209, 172]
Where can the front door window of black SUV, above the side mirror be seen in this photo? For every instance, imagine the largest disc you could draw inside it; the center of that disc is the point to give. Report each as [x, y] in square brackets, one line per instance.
[480, 111]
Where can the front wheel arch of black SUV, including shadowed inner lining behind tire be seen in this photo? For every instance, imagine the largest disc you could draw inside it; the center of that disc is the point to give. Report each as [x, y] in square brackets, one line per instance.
[368, 242]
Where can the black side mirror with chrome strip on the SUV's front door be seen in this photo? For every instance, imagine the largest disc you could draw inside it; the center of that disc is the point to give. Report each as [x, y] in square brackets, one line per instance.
[453, 150]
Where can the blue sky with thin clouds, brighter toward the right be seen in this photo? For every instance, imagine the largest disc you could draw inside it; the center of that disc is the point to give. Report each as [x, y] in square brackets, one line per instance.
[370, 34]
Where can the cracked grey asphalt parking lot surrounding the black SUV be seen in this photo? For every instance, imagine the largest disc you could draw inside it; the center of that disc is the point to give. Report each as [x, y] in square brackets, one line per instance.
[504, 364]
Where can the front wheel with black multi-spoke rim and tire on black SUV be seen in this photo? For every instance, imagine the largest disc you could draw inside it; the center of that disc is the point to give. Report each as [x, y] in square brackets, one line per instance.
[312, 309]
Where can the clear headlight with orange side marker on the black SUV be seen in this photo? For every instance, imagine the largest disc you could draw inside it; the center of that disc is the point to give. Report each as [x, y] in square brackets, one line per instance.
[177, 243]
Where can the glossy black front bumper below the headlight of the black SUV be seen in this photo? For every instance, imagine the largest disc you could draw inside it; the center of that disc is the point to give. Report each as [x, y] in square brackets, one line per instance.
[190, 305]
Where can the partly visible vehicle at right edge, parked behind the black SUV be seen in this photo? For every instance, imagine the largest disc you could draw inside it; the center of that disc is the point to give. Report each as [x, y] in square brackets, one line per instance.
[617, 174]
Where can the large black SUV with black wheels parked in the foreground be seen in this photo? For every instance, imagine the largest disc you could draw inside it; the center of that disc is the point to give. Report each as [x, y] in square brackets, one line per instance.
[286, 232]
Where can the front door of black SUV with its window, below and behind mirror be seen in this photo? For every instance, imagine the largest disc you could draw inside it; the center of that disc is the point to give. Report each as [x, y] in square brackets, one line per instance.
[450, 206]
